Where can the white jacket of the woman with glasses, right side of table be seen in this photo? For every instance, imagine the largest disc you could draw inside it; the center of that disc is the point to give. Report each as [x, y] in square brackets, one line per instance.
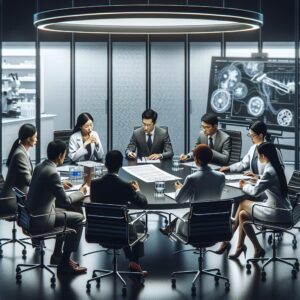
[246, 164]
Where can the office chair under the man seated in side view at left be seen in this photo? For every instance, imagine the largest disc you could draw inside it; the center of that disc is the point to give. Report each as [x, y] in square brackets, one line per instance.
[24, 218]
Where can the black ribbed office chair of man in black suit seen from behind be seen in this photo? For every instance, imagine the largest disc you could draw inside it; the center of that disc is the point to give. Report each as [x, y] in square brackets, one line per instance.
[109, 226]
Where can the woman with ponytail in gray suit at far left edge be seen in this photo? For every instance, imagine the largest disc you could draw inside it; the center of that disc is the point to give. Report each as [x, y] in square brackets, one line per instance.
[19, 165]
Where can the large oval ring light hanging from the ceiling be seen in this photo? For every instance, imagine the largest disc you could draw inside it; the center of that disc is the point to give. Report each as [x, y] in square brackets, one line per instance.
[148, 19]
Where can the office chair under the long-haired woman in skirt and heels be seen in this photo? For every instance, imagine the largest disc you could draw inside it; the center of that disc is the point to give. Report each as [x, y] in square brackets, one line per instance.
[276, 228]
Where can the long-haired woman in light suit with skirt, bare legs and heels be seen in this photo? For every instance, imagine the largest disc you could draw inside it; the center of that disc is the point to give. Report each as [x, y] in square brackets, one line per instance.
[273, 183]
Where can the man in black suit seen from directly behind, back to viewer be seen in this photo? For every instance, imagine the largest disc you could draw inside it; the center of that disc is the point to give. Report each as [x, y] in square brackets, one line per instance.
[113, 190]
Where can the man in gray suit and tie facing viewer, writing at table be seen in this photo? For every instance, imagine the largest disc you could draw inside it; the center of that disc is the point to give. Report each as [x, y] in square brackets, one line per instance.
[149, 140]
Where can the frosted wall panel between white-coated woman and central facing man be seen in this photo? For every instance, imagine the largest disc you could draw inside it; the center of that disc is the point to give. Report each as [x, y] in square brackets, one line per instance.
[129, 90]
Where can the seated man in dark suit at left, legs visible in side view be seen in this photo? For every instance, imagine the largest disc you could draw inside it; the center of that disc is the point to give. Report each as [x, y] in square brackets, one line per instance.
[45, 189]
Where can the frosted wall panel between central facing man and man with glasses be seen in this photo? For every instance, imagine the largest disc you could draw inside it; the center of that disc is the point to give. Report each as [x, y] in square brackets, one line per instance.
[167, 89]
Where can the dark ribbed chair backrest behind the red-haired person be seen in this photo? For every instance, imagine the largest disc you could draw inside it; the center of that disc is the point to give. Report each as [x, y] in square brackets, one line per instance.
[210, 222]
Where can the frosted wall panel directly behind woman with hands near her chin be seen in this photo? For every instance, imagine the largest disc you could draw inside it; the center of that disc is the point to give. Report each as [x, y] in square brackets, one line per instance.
[91, 84]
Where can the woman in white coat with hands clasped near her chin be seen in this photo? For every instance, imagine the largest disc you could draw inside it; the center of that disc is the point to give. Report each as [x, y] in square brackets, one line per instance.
[85, 143]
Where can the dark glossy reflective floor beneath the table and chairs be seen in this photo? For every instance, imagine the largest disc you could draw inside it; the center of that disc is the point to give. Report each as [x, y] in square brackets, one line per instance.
[160, 263]
